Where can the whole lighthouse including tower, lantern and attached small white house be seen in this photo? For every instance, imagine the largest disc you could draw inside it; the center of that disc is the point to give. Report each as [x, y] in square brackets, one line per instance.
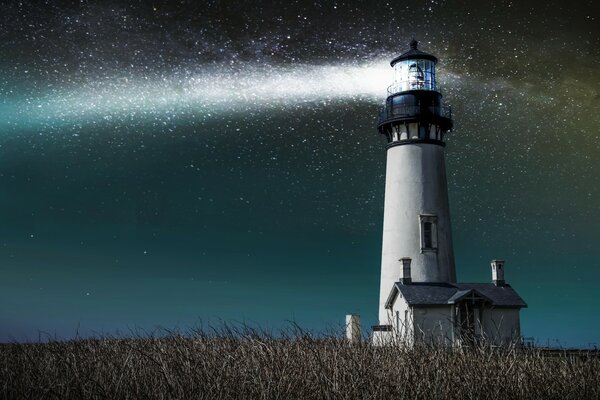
[419, 298]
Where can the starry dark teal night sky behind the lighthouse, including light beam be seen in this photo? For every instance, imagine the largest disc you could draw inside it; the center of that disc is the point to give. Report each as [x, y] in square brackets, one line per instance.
[171, 163]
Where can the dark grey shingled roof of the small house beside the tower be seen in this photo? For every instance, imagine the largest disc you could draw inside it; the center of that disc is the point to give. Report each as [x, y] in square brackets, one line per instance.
[442, 293]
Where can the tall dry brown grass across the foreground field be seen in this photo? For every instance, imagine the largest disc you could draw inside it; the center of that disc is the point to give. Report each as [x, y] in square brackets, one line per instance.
[247, 364]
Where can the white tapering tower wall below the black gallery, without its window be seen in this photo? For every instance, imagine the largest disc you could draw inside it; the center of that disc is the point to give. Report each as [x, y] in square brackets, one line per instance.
[416, 184]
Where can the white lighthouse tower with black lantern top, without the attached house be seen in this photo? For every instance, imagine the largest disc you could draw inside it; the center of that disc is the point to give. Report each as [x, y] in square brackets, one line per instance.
[416, 222]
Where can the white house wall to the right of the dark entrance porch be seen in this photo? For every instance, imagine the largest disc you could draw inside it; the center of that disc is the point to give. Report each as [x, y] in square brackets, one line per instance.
[501, 326]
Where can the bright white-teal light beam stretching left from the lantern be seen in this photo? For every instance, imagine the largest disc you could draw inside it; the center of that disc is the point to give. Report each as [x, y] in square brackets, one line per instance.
[205, 93]
